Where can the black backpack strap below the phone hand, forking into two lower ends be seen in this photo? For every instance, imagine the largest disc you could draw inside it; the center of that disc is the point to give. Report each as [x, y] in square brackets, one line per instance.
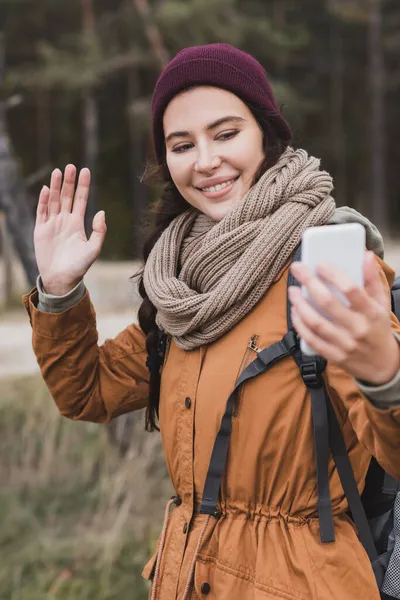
[324, 418]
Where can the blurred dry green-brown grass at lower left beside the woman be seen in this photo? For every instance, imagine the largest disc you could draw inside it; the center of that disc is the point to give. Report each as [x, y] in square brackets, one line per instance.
[77, 520]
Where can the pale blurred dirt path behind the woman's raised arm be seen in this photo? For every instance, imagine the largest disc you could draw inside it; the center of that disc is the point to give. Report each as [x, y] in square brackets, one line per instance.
[115, 299]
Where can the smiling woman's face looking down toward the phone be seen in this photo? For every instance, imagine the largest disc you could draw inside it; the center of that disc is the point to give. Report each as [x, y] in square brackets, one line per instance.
[214, 147]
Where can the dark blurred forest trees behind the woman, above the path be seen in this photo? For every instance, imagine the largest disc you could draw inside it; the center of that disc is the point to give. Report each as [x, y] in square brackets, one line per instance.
[85, 70]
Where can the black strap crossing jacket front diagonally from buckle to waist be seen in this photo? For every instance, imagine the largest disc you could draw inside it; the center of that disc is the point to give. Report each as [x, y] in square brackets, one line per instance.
[265, 360]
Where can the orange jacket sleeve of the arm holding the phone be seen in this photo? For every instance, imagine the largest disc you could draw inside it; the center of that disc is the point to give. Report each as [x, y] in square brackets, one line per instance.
[376, 427]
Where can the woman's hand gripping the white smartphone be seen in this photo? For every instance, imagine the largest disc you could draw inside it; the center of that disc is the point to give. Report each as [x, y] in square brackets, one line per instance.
[357, 337]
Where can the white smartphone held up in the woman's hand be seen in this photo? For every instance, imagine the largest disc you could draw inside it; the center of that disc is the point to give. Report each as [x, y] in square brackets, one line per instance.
[343, 247]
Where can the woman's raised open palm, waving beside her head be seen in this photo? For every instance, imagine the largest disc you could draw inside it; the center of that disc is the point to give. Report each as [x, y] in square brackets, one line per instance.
[63, 252]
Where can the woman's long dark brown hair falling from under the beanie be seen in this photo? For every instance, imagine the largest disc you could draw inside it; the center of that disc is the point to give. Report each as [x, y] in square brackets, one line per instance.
[170, 205]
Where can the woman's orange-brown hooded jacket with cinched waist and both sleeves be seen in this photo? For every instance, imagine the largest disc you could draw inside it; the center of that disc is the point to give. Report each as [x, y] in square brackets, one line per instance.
[266, 543]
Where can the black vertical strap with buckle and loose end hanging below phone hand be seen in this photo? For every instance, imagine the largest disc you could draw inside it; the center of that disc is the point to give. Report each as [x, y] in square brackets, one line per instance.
[311, 369]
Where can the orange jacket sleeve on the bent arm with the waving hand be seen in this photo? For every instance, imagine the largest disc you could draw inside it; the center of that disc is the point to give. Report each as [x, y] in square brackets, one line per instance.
[87, 381]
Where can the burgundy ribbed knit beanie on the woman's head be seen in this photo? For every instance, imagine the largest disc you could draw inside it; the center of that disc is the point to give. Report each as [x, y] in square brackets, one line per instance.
[220, 65]
